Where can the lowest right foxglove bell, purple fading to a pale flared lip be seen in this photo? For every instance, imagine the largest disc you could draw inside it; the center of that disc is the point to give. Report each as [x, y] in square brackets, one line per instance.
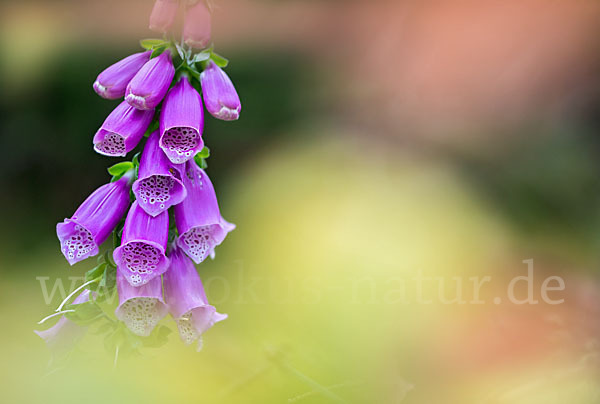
[187, 300]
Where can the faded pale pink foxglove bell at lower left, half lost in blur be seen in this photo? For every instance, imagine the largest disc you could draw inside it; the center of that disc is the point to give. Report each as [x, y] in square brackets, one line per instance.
[61, 337]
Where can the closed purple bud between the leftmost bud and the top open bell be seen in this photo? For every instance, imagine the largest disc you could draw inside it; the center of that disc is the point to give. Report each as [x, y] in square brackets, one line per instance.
[149, 86]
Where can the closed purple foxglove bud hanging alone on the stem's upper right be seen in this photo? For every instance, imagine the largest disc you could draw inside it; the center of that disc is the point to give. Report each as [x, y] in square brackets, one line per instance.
[220, 97]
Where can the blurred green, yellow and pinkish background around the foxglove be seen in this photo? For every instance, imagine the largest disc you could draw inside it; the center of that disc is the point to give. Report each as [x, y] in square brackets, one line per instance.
[379, 140]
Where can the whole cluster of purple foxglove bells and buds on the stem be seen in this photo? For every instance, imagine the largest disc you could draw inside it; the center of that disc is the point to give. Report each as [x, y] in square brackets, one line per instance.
[155, 272]
